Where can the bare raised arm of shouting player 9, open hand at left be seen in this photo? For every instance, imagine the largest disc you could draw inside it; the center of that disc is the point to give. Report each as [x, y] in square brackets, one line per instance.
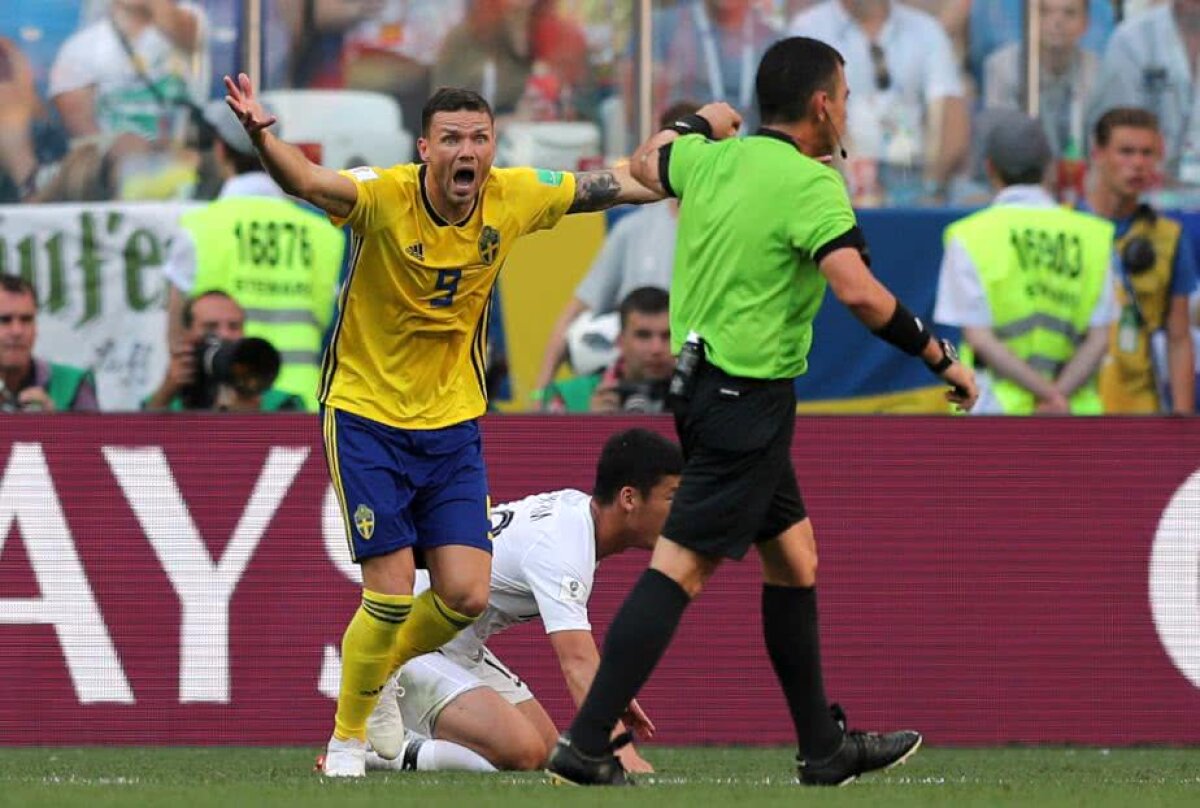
[287, 165]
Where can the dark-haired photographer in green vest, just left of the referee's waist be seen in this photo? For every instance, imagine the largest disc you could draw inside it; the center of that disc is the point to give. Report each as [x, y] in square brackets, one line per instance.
[638, 381]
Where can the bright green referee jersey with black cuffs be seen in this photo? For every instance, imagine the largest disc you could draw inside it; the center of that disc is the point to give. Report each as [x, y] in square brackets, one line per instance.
[755, 219]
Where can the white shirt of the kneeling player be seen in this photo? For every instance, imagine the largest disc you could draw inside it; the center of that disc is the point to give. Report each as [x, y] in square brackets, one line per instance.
[544, 559]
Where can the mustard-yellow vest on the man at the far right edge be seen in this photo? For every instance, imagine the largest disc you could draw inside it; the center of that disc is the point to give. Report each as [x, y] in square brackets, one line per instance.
[1127, 378]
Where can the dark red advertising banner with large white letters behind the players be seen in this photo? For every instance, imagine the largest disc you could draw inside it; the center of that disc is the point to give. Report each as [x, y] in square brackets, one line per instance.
[184, 580]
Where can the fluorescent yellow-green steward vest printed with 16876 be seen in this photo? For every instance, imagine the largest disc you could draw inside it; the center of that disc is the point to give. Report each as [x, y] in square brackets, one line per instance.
[280, 262]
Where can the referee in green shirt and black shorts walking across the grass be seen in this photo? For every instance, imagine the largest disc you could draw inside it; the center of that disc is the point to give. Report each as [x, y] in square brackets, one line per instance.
[765, 225]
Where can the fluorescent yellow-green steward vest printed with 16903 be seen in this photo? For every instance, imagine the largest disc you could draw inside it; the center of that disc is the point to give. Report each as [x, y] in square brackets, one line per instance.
[1042, 273]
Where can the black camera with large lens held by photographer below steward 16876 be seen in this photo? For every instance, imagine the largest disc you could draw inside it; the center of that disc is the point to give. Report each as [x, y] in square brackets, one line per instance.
[249, 366]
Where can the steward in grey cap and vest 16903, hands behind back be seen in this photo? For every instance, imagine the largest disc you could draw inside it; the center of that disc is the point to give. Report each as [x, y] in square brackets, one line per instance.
[1018, 155]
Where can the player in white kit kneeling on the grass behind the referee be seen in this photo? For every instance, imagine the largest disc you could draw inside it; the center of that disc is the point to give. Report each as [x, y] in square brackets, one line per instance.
[547, 549]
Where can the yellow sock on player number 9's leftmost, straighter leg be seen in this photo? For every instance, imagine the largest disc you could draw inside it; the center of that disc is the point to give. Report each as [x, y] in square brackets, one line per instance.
[368, 649]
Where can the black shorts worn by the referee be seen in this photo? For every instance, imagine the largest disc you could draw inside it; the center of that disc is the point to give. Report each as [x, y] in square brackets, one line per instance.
[739, 484]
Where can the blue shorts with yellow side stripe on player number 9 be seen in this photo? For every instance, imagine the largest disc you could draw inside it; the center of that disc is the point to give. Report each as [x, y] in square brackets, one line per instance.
[407, 488]
